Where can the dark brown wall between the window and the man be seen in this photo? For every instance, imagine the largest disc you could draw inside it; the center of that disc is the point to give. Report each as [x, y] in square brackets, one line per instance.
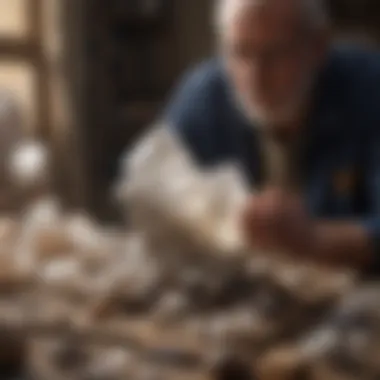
[129, 78]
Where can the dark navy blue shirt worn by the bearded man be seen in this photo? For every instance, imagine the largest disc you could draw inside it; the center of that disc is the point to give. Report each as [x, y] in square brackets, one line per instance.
[340, 159]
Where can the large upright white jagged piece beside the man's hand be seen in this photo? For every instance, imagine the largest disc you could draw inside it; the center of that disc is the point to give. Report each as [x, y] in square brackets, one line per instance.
[160, 174]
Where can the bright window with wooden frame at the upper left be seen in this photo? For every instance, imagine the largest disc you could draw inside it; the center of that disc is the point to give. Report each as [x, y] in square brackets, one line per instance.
[22, 60]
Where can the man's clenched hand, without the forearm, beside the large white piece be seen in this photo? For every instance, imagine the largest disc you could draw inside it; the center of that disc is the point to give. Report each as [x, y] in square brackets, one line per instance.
[277, 220]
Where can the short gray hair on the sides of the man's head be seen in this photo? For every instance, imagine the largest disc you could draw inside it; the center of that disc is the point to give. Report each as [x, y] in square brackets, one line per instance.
[314, 11]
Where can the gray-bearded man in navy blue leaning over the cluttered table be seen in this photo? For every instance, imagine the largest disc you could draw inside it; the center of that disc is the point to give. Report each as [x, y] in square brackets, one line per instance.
[302, 119]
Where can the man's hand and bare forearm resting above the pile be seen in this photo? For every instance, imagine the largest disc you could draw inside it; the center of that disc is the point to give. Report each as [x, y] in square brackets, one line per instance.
[277, 220]
